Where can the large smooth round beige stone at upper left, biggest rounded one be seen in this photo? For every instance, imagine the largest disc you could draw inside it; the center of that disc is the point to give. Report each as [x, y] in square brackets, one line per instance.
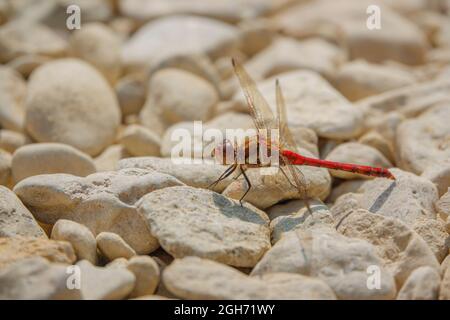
[88, 121]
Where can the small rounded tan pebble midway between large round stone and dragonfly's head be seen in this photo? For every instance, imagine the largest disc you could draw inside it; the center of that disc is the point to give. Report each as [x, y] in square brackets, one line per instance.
[140, 141]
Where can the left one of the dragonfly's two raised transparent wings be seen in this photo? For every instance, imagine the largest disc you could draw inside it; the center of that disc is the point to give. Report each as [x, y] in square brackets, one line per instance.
[261, 113]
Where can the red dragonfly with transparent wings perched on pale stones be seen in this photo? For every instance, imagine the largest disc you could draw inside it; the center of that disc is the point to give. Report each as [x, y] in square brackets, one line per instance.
[264, 121]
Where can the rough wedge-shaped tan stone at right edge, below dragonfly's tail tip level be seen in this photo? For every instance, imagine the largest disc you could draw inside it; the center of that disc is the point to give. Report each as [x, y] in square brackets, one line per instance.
[434, 232]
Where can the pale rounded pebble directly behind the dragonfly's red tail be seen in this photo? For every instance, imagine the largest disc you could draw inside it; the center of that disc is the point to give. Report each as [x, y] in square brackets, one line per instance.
[356, 153]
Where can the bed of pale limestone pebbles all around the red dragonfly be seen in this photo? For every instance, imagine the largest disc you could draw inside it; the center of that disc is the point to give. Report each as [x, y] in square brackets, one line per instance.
[88, 187]
